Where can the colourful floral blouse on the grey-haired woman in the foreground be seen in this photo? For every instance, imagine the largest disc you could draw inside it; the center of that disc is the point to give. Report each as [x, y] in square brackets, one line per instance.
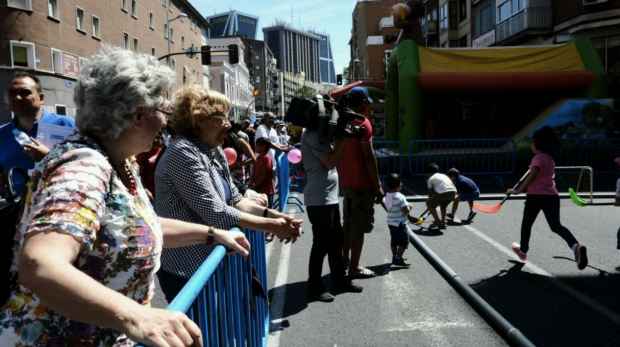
[74, 190]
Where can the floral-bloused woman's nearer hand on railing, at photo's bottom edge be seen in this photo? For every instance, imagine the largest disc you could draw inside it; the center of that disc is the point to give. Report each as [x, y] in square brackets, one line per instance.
[157, 327]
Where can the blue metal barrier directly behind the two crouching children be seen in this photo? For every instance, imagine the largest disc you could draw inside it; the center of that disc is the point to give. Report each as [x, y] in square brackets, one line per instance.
[469, 156]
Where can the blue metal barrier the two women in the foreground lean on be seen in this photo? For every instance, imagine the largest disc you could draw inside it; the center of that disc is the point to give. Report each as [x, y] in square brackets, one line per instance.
[220, 291]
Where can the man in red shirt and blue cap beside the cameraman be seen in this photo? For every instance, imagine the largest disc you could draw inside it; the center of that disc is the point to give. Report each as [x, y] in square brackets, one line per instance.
[361, 186]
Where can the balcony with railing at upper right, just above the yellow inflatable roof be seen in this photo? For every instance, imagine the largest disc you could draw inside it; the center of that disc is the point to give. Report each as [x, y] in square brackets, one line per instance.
[530, 18]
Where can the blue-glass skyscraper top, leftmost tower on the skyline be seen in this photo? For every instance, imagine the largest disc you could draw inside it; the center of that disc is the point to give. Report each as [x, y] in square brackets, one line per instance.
[233, 23]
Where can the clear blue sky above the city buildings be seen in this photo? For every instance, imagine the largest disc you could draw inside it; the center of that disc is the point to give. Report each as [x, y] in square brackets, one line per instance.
[331, 16]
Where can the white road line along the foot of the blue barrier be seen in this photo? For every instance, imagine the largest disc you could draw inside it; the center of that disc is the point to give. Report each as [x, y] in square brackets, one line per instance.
[279, 295]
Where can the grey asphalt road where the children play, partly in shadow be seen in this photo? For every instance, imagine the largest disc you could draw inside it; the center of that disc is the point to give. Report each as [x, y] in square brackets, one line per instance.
[546, 298]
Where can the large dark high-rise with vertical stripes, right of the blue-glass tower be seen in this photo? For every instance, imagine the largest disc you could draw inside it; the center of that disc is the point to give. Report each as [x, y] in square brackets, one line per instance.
[295, 50]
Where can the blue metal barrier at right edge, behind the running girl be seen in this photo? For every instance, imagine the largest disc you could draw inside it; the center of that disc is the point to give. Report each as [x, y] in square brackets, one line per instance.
[596, 153]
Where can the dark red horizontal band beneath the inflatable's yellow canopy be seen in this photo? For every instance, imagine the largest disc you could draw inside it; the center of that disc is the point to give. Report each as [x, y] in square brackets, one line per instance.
[445, 81]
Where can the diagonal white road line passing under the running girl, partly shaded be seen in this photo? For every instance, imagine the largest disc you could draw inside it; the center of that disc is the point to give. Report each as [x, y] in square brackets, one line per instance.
[558, 283]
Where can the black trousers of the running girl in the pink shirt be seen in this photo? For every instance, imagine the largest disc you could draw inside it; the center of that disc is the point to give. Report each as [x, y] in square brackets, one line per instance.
[550, 205]
